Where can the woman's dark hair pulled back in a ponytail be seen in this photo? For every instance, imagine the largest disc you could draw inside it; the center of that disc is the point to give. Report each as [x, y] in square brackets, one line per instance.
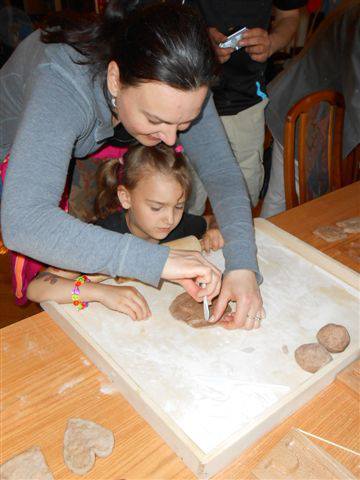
[161, 42]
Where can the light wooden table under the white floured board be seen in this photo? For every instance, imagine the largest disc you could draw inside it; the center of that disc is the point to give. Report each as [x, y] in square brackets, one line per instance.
[46, 380]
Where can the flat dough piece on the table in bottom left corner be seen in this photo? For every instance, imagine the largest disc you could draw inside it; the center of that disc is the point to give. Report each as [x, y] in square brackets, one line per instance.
[29, 465]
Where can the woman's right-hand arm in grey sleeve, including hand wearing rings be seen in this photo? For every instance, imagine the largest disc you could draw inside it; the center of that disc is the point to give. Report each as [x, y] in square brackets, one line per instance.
[209, 151]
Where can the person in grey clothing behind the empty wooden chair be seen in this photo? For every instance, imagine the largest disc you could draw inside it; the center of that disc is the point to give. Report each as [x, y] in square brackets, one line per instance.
[330, 60]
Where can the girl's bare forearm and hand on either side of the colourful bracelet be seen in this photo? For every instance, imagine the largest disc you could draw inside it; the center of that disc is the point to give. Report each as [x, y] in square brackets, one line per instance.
[49, 286]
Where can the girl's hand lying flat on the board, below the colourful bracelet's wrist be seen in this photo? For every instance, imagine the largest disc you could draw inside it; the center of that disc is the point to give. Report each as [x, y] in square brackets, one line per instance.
[126, 300]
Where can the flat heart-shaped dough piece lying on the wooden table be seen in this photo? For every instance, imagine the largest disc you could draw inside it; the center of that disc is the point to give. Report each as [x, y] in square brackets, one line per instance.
[83, 440]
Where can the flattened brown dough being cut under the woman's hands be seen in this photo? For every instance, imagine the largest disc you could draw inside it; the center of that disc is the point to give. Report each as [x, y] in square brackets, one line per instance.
[186, 309]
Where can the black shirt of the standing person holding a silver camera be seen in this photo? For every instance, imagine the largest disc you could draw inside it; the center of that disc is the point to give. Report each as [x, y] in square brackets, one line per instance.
[238, 88]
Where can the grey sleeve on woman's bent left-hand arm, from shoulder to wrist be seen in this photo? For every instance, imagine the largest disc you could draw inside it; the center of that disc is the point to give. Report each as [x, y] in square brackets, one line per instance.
[33, 223]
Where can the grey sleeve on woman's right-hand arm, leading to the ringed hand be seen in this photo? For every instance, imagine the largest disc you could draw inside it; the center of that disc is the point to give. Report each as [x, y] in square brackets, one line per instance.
[209, 151]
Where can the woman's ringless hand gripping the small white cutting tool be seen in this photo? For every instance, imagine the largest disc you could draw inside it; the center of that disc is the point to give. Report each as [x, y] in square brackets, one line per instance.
[190, 269]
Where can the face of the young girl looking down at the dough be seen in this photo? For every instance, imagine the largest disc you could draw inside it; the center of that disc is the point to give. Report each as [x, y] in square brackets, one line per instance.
[155, 206]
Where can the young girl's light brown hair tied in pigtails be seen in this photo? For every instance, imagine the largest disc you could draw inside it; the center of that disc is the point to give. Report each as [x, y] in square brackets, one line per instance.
[139, 161]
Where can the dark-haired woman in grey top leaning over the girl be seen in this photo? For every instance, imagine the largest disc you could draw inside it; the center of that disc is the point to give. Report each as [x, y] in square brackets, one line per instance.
[146, 73]
